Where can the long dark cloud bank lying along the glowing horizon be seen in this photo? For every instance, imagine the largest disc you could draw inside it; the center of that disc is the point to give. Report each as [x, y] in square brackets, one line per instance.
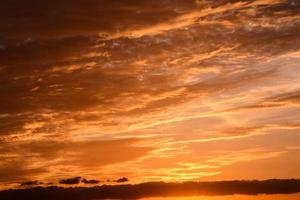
[156, 189]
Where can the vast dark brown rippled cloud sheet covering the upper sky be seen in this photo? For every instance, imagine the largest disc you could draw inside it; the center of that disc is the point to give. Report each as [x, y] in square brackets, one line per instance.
[32, 79]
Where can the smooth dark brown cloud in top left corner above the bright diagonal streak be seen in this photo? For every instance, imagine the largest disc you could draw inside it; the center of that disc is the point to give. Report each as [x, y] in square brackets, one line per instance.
[82, 17]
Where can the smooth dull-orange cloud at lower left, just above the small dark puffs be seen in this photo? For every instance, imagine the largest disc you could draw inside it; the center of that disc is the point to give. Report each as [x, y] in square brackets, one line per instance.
[49, 156]
